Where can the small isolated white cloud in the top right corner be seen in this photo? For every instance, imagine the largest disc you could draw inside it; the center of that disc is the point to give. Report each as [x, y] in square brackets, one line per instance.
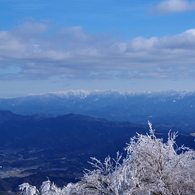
[173, 6]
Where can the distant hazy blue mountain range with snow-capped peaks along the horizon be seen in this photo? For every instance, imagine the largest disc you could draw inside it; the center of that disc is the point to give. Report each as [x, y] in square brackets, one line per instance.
[112, 105]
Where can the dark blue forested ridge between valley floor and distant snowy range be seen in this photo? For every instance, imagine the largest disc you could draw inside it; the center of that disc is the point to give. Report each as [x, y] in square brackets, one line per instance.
[71, 130]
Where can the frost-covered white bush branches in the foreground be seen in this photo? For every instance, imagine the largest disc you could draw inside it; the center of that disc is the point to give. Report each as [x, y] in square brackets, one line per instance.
[150, 167]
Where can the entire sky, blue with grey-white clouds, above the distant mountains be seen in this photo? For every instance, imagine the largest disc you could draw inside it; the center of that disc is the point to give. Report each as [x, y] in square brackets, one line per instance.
[129, 45]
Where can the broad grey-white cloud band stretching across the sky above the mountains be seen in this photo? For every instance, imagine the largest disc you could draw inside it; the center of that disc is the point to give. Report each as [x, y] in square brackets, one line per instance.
[38, 51]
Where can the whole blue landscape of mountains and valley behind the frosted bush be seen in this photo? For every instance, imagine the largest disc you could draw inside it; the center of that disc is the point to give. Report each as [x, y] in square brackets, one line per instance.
[40, 139]
